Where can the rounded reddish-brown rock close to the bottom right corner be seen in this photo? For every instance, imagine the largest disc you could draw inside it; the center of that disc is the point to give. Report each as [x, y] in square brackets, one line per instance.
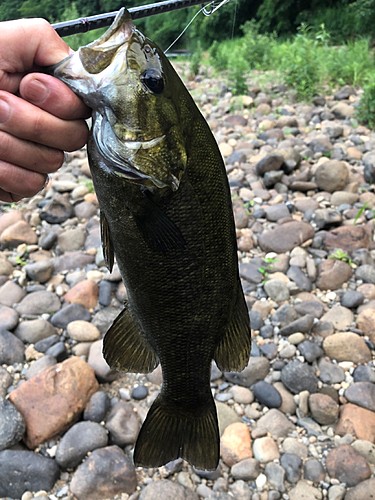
[347, 465]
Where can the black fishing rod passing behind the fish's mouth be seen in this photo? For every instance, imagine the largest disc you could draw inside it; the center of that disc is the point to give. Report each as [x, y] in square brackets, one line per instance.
[85, 24]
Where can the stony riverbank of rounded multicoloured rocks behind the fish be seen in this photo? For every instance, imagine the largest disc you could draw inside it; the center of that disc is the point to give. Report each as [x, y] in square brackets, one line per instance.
[299, 421]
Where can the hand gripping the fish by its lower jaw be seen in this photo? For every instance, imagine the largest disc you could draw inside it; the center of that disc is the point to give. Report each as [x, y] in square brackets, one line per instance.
[40, 117]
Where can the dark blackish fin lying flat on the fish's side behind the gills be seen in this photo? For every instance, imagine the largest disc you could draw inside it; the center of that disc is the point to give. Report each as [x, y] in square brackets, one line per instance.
[159, 232]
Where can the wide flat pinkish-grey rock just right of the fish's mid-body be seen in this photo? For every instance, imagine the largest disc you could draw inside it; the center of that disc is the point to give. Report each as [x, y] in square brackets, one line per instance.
[284, 237]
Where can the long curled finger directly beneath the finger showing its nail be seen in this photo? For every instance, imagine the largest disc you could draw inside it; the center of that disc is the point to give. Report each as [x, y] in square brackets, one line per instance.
[26, 121]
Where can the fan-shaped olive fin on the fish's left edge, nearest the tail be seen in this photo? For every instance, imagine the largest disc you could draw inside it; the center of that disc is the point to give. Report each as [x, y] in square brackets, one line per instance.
[125, 347]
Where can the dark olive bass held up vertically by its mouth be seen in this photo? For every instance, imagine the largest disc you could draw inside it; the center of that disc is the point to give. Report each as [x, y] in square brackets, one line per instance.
[167, 218]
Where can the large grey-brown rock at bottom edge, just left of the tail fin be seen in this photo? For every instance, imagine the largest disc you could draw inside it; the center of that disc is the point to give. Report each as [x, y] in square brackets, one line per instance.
[105, 473]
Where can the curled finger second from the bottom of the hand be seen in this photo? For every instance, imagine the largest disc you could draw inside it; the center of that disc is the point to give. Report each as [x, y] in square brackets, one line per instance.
[29, 155]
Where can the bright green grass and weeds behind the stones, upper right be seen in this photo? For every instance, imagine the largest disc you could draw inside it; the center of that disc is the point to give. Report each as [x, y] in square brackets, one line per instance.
[307, 63]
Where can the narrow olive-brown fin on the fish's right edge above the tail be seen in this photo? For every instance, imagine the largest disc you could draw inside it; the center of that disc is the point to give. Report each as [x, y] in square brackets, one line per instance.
[233, 351]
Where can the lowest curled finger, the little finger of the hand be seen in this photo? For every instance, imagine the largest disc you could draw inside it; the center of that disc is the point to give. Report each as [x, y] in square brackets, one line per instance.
[19, 181]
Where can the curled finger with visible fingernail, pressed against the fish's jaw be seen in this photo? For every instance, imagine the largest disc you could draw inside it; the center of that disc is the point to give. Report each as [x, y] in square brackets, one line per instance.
[53, 96]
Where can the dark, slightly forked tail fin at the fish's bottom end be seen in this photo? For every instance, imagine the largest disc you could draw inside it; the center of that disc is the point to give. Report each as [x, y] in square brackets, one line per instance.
[166, 436]
